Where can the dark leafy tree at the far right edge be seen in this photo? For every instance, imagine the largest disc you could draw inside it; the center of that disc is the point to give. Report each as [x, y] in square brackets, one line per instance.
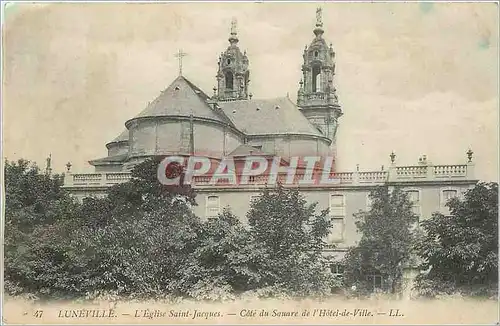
[460, 250]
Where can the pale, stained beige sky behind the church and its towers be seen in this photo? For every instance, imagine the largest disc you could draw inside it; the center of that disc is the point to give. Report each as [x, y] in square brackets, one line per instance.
[413, 78]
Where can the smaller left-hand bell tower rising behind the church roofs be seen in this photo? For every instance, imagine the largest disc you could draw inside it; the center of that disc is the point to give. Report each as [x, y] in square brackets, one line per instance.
[233, 75]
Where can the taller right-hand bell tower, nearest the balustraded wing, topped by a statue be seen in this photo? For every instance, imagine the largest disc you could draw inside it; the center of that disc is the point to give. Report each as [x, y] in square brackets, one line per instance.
[317, 98]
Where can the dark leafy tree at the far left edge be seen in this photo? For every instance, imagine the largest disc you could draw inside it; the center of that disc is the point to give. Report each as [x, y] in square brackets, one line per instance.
[39, 217]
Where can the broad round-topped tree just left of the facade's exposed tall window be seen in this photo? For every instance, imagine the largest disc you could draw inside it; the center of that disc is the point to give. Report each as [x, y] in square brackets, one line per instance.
[287, 242]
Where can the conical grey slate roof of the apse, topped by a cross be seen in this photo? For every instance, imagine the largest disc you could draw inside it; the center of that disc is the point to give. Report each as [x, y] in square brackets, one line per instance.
[182, 98]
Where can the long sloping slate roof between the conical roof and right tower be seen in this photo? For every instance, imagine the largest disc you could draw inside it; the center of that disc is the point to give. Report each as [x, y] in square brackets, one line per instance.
[268, 116]
